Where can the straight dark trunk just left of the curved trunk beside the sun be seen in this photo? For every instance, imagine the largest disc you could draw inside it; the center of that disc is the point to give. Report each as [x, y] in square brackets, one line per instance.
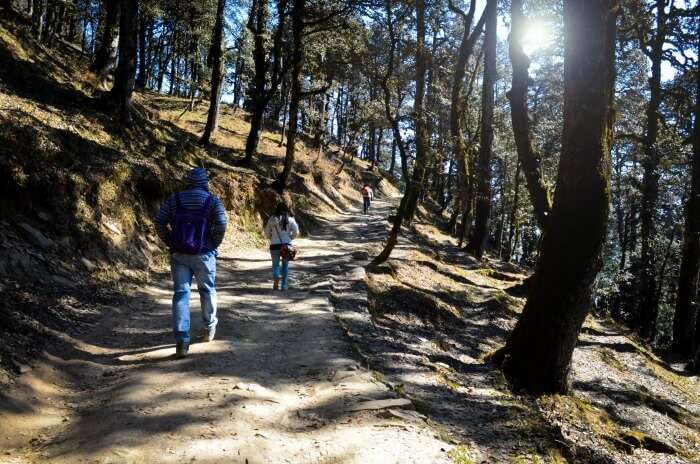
[480, 232]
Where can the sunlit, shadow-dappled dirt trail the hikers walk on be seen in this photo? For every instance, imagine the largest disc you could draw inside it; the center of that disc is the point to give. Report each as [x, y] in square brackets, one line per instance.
[278, 385]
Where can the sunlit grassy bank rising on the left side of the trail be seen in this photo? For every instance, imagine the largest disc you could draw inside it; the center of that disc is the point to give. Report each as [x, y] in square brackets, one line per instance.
[79, 193]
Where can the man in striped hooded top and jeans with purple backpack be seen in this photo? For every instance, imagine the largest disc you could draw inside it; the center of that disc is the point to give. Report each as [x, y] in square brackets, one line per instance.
[193, 223]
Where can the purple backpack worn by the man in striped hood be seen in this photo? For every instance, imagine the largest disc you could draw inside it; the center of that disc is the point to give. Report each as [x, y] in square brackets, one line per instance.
[190, 228]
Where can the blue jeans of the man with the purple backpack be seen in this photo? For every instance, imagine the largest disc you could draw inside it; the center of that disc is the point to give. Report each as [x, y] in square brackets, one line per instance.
[183, 267]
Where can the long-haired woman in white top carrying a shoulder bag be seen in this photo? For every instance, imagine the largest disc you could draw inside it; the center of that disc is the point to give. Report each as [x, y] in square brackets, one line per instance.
[281, 229]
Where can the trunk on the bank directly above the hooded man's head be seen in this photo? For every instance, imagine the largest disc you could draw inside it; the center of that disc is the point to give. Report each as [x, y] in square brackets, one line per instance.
[216, 55]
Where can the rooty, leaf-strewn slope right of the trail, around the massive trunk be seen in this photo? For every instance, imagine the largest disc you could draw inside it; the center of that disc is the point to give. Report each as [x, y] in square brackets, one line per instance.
[429, 319]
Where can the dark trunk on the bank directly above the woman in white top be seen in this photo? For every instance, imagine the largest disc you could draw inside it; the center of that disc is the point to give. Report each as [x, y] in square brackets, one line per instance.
[298, 9]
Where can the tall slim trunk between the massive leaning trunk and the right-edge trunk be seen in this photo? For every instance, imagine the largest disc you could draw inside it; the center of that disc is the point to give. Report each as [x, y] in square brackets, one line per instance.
[648, 304]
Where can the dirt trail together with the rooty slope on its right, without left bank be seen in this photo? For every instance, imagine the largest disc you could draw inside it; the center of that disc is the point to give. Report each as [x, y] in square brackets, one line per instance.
[293, 377]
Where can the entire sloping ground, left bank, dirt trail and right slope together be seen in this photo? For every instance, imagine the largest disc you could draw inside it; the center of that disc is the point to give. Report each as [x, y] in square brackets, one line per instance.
[357, 364]
